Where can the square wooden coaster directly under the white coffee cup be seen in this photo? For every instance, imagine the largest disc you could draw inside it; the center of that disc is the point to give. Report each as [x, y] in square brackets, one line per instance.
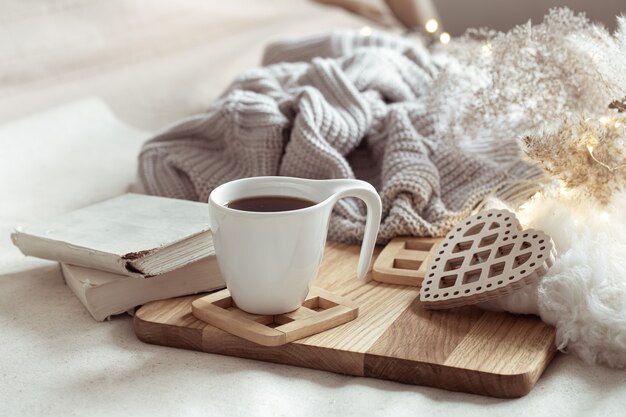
[320, 311]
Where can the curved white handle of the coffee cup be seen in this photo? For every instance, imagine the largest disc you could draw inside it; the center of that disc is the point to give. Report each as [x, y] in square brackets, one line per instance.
[366, 192]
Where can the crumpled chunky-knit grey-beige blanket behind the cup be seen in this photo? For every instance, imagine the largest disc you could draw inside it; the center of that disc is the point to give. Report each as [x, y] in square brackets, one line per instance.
[335, 106]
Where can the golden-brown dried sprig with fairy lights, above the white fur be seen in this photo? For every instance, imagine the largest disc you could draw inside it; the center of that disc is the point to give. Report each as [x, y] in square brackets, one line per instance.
[585, 154]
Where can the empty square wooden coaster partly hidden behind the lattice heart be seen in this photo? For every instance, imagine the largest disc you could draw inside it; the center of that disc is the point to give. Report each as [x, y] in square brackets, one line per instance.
[404, 259]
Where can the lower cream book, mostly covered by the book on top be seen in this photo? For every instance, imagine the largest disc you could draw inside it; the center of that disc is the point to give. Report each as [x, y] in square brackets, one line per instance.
[105, 294]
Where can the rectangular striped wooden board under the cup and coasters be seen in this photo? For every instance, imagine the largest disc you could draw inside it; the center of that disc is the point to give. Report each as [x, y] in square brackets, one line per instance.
[394, 337]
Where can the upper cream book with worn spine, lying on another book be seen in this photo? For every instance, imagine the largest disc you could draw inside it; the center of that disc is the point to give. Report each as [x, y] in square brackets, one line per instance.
[133, 234]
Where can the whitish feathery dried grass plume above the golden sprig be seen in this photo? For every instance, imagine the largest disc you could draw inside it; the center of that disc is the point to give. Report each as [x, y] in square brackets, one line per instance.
[503, 85]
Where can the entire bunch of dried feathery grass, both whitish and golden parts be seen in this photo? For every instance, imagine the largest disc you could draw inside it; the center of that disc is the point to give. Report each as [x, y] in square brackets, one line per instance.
[496, 87]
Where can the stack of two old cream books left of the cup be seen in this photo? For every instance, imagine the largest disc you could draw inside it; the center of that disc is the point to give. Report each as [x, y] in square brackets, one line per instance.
[124, 252]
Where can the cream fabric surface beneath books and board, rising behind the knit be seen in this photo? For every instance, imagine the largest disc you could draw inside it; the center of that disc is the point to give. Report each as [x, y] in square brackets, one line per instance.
[55, 359]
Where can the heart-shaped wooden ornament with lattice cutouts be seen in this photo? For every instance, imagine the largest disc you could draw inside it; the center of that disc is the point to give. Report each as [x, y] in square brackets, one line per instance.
[487, 256]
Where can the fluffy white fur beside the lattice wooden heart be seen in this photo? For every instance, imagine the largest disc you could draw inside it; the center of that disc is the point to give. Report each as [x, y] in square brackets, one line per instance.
[584, 293]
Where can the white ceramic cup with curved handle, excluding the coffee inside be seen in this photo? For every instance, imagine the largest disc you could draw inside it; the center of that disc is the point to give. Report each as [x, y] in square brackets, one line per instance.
[270, 259]
